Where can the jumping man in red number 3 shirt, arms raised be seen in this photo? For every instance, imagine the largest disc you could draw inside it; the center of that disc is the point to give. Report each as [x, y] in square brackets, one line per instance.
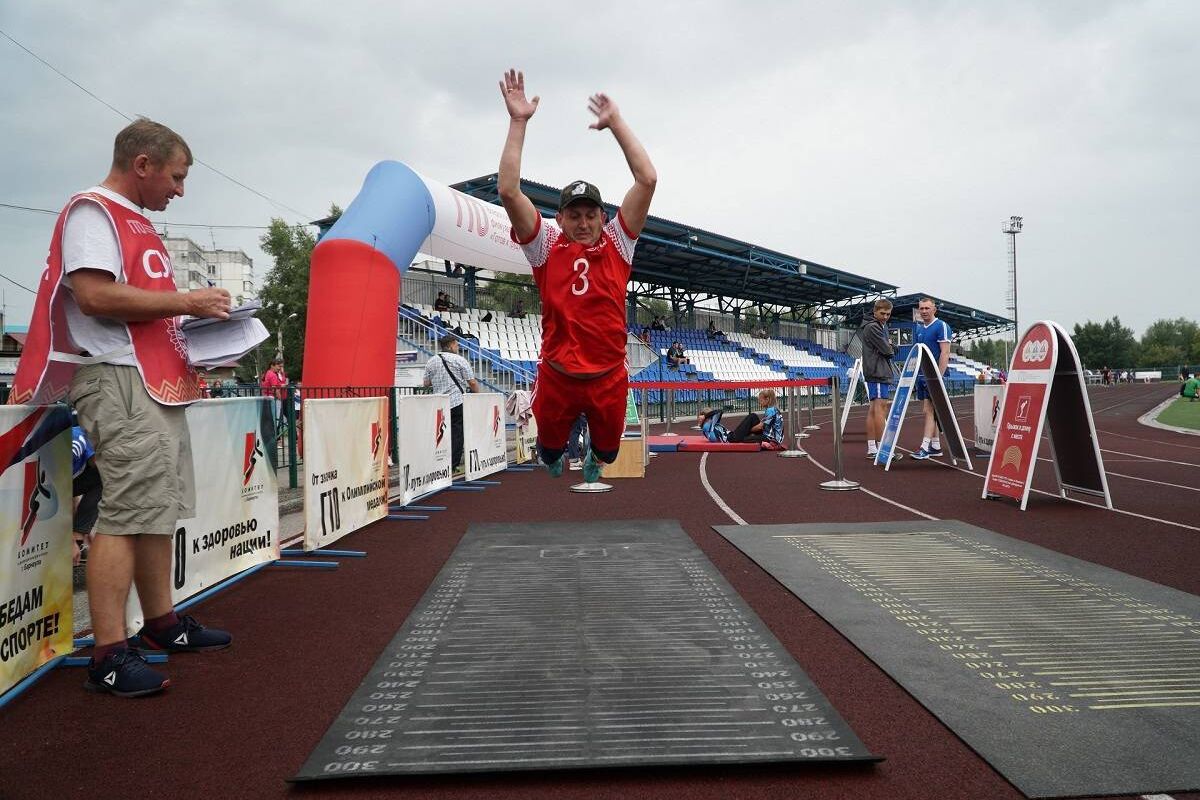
[581, 266]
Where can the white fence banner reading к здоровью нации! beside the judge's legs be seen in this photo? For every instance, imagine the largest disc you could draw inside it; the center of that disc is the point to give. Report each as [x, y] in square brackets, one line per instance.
[237, 522]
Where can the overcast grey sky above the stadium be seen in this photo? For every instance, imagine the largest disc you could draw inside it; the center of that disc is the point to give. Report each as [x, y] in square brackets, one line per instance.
[890, 140]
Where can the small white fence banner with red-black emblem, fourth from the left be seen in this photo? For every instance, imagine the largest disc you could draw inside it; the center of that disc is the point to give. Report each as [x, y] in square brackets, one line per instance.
[424, 446]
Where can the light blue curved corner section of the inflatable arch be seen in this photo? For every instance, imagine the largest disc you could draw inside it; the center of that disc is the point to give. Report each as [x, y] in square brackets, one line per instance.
[394, 213]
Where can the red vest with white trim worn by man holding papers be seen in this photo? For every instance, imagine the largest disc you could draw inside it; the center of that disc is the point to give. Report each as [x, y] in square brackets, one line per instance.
[159, 346]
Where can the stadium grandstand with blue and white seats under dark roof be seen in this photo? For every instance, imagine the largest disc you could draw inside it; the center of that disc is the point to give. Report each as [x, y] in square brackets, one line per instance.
[808, 311]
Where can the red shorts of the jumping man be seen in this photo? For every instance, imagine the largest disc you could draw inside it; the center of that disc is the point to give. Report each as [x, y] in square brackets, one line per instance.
[559, 401]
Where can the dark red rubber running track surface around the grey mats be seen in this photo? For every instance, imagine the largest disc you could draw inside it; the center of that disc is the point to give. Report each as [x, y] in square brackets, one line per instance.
[238, 724]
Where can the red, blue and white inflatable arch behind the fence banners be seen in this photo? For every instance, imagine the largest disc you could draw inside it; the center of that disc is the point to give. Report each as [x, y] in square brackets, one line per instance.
[355, 279]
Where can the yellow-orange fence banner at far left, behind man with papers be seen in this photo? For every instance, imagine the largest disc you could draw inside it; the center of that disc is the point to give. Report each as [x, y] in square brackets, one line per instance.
[35, 539]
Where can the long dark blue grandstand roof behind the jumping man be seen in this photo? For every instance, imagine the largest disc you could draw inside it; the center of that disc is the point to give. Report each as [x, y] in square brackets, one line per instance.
[697, 261]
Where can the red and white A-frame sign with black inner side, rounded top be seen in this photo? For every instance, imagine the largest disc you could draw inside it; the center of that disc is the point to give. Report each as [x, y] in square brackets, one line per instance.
[1046, 386]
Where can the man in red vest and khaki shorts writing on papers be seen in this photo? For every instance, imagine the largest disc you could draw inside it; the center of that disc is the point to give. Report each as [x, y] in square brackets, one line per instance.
[105, 333]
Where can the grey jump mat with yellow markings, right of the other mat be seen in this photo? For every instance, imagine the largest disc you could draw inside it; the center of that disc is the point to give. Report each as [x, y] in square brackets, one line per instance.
[1067, 677]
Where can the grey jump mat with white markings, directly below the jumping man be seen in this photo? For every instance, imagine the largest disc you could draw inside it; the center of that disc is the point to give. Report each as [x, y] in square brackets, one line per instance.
[580, 646]
